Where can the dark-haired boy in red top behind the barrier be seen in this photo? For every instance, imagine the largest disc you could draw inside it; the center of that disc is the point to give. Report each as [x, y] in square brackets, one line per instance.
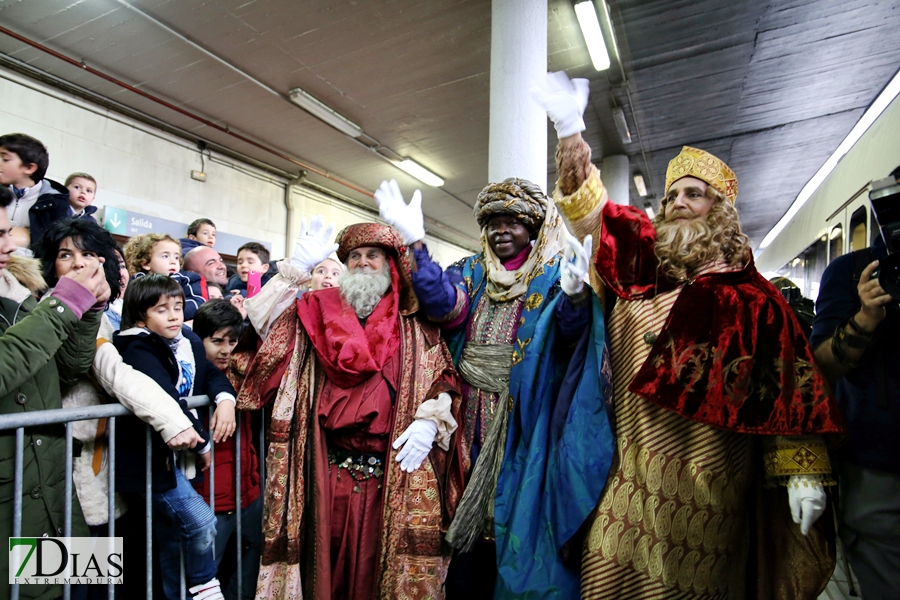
[219, 325]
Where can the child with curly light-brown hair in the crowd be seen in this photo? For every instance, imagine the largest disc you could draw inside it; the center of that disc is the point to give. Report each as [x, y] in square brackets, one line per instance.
[160, 253]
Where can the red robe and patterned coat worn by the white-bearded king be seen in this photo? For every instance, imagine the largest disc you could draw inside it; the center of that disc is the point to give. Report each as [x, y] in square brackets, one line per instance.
[329, 381]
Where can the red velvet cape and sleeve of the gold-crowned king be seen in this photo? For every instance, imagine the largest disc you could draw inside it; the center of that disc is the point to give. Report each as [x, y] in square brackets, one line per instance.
[731, 353]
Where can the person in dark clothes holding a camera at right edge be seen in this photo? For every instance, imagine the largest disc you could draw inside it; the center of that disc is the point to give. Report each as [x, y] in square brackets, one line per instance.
[855, 334]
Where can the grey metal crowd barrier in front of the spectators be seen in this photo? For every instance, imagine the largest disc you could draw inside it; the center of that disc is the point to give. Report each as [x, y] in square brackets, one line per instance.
[67, 416]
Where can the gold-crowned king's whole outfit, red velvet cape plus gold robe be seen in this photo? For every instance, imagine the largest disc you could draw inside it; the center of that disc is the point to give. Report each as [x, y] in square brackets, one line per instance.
[689, 517]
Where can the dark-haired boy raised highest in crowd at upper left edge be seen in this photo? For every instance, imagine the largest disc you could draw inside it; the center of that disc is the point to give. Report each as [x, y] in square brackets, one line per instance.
[23, 165]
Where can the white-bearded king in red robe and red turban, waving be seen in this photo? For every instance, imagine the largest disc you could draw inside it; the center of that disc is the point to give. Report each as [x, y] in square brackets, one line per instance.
[362, 469]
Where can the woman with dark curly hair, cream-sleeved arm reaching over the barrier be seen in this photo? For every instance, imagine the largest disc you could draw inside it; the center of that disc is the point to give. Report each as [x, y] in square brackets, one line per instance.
[71, 245]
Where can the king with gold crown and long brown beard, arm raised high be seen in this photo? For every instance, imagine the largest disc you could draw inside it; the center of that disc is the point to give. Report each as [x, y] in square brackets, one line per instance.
[717, 486]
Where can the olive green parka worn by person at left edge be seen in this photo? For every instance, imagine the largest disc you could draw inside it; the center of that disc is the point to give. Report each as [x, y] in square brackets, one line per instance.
[43, 347]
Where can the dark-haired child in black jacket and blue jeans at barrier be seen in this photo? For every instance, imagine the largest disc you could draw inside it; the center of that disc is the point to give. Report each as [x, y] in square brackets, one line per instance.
[154, 341]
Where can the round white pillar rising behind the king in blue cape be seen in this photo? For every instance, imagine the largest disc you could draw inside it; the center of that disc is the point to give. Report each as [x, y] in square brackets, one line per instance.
[518, 126]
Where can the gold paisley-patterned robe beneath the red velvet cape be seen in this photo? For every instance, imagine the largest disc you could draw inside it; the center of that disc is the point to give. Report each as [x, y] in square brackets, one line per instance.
[684, 513]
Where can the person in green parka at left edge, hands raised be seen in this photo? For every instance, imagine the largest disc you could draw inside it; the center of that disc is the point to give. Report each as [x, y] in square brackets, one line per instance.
[44, 346]
